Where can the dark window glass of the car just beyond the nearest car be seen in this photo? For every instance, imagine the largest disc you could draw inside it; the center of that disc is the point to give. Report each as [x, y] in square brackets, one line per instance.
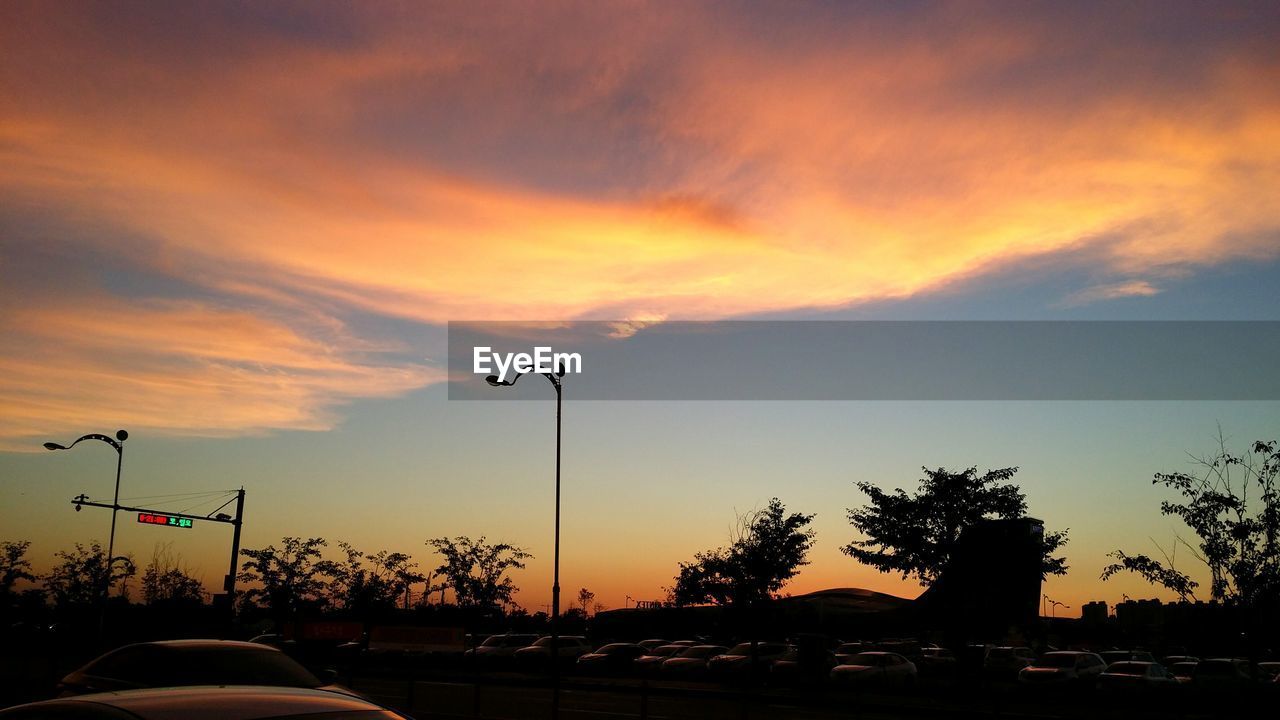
[240, 667]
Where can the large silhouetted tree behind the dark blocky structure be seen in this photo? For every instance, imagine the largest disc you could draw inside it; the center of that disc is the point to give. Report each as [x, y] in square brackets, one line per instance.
[915, 535]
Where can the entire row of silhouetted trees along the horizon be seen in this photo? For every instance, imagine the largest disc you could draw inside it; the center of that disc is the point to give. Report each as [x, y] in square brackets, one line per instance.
[1232, 505]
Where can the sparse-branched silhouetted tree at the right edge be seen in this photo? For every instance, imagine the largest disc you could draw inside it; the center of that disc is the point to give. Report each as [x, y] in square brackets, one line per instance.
[1233, 507]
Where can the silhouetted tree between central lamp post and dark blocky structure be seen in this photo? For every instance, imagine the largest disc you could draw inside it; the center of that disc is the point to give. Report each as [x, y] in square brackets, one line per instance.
[769, 550]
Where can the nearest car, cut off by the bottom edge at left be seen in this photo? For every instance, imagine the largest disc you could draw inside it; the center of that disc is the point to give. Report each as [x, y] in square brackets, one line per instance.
[223, 703]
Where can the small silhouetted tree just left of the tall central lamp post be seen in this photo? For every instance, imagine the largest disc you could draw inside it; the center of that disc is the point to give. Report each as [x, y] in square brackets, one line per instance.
[477, 571]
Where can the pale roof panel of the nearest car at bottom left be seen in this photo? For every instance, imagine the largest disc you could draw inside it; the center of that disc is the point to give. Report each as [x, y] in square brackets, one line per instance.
[248, 703]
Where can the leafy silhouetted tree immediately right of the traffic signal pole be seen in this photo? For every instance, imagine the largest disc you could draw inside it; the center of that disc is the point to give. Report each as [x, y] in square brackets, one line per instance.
[290, 580]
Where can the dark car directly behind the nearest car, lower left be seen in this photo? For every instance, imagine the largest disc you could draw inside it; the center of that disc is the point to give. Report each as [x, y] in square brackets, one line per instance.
[193, 663]
